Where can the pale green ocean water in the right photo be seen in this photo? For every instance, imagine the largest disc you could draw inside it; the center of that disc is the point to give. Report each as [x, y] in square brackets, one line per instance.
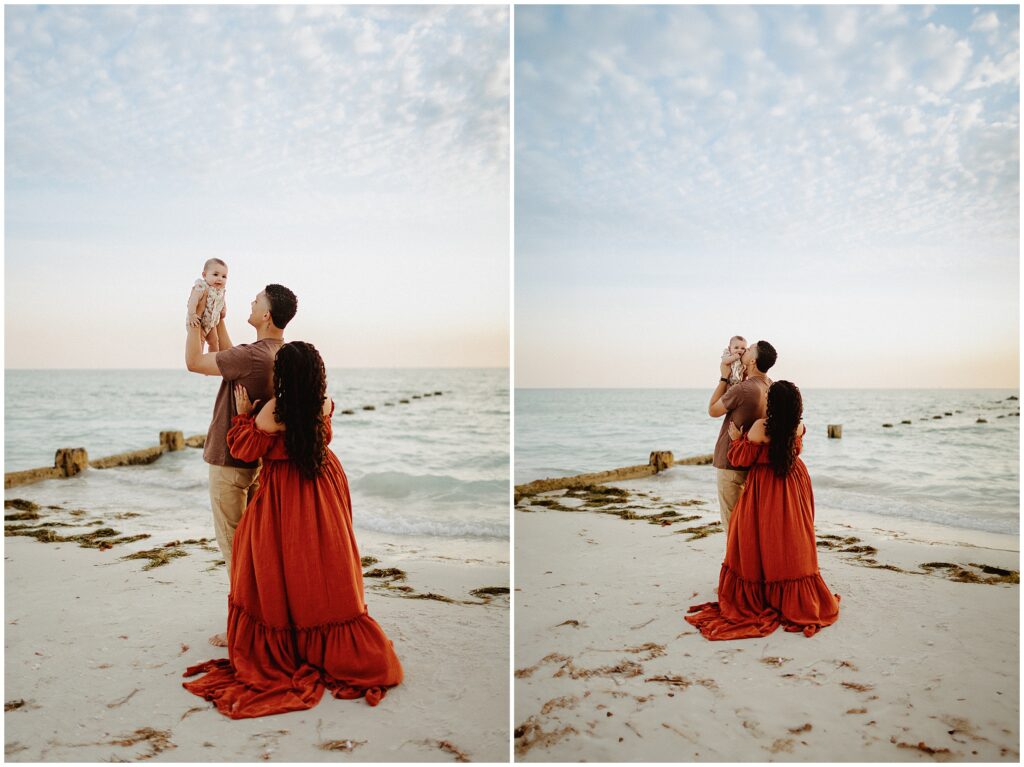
[951, 472]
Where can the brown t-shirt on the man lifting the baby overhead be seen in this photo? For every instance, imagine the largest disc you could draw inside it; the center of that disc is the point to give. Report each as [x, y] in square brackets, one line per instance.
[252, 366]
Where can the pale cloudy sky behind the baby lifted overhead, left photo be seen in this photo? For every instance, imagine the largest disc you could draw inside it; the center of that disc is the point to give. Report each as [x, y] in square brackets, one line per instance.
[358, 155]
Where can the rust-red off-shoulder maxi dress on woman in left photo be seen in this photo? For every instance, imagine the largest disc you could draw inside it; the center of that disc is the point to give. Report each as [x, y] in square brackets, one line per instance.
[297, 624]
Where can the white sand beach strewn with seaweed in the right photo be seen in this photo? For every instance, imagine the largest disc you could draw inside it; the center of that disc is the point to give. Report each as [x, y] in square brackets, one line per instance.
[920, 666]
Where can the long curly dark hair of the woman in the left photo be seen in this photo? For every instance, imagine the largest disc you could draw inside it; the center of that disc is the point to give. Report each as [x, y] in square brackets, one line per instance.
[301, 389]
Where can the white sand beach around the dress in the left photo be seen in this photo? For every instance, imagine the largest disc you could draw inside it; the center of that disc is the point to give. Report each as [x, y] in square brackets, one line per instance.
[96, 647]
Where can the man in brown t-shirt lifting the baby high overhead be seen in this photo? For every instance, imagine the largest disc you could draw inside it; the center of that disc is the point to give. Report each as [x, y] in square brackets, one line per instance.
[252, 367]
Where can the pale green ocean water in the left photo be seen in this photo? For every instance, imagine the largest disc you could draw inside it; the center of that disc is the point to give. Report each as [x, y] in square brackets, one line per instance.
[438, 467]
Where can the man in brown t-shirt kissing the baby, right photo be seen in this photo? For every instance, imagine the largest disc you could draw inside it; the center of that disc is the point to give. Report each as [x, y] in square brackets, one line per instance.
[743, 404]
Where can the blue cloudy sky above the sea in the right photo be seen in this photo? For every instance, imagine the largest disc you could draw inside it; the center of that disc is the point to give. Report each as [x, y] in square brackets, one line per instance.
[842, 182]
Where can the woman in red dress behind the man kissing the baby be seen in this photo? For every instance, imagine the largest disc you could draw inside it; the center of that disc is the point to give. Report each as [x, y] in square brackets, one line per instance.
[771, 575]
